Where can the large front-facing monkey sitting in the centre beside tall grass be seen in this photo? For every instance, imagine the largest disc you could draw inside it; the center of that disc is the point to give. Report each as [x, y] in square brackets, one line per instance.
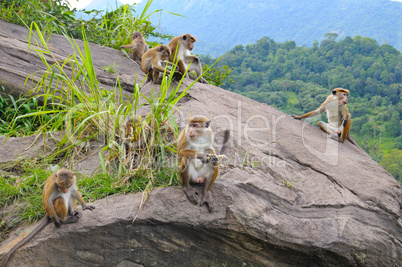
[198, 160]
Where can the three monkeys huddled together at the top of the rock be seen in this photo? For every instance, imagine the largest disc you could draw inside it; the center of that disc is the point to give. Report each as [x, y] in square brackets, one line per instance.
[153, 61]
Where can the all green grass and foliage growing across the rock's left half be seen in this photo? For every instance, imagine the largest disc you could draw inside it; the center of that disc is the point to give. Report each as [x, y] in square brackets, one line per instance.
[136, 147]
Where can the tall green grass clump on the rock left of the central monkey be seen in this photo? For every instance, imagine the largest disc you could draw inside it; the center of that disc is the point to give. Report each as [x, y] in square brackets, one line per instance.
[137, 152]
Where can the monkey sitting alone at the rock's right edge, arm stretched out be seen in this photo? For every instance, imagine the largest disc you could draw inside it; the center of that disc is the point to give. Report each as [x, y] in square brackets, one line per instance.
[339, 121]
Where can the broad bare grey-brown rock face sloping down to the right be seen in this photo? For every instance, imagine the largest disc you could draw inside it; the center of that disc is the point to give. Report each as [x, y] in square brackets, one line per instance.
[290, 196]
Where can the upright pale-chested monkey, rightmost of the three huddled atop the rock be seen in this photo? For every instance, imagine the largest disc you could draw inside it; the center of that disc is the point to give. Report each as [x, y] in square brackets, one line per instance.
[184, 44]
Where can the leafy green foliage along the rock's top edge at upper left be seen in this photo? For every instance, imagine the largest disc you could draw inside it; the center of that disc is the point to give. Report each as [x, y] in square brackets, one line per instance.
[111, 29]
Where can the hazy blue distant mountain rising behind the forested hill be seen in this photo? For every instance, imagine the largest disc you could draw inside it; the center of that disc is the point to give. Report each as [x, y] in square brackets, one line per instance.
[220, 25]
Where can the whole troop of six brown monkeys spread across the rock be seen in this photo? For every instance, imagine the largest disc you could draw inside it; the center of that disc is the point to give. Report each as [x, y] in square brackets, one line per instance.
[199, 163]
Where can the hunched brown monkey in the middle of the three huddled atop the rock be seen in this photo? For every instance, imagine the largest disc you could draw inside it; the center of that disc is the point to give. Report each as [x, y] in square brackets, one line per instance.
[152, 62]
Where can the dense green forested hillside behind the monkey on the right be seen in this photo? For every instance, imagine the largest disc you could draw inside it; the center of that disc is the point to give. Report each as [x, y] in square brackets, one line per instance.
[297, 80]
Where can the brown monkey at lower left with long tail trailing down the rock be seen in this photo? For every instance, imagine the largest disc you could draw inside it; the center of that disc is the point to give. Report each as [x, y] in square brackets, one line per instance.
[58, 200]
